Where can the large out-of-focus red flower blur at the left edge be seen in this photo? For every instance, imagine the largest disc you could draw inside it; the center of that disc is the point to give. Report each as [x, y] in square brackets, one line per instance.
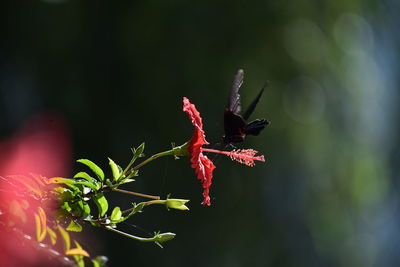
[41, 146]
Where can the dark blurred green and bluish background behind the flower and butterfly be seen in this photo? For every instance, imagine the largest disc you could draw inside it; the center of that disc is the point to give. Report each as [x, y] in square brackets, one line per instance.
[116, 71]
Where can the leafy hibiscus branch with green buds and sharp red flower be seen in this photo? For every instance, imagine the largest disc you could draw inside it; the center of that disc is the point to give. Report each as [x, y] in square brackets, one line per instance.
[57, 206]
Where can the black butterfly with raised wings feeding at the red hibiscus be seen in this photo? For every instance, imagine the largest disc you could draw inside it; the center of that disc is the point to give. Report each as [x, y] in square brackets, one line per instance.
[235, 126]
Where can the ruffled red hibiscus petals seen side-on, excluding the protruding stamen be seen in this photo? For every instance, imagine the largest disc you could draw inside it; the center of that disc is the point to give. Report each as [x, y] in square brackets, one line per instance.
[203, 166]
